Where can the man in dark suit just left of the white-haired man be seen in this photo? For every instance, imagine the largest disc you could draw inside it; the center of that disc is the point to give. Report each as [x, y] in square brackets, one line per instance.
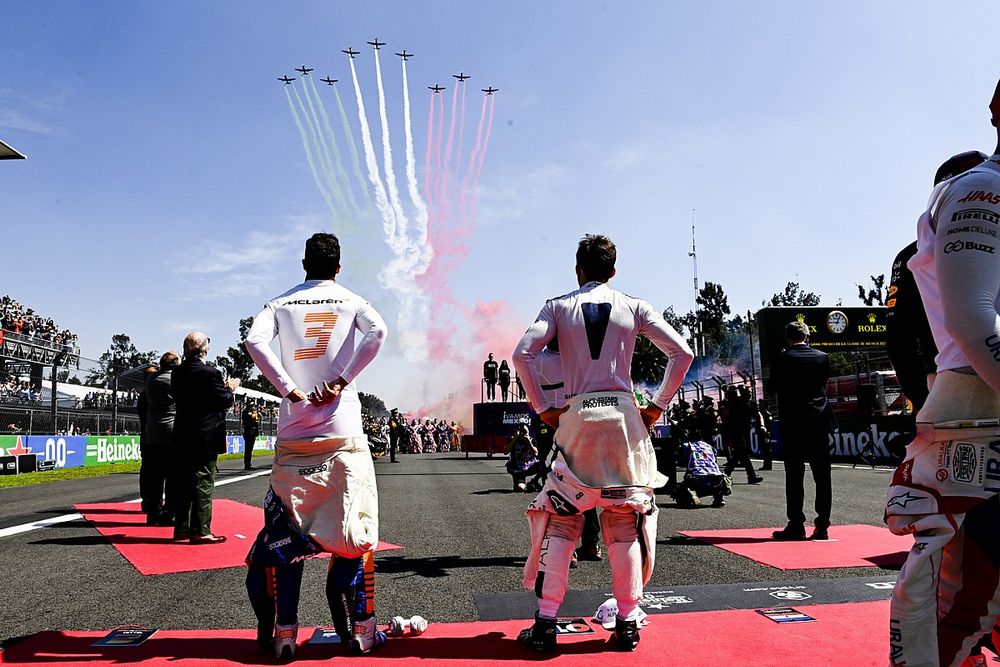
[157, 436]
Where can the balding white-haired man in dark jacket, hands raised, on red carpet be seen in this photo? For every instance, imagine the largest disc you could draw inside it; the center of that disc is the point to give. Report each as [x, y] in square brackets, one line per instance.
[202, 398]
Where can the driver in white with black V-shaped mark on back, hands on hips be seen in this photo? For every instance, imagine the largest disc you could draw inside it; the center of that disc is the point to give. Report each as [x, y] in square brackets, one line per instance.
[605, 456]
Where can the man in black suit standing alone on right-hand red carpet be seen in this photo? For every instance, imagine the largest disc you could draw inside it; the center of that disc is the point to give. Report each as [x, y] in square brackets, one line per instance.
[799, 376]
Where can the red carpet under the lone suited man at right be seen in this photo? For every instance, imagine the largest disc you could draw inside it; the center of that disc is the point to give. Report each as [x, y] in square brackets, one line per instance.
[848, 546]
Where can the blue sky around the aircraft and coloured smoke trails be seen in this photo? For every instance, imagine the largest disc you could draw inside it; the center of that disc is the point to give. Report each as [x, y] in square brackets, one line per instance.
[167, 187]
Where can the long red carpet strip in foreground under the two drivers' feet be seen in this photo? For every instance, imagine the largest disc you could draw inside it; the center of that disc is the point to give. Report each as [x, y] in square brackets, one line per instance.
[843, 635]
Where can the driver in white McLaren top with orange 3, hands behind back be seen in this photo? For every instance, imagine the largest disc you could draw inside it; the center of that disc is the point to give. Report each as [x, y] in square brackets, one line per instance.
[322, 496]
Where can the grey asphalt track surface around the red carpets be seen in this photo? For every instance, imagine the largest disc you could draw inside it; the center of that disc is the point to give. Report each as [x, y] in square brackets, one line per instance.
[461, 526]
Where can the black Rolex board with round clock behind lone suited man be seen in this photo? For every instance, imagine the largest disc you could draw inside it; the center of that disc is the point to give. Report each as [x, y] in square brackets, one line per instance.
[830, 328]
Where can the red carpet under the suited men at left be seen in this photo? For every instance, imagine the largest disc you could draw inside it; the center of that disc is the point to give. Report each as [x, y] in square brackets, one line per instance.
[151, 550]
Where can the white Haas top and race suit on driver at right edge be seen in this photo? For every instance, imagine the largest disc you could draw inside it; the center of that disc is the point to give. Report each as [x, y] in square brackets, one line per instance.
[945, 491]
